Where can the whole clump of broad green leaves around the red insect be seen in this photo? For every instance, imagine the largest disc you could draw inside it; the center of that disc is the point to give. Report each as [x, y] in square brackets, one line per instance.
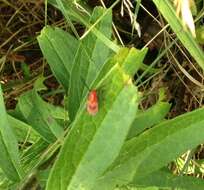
[121, 147]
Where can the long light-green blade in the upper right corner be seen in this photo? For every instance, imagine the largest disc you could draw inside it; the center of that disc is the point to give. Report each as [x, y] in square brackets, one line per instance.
[169, 13]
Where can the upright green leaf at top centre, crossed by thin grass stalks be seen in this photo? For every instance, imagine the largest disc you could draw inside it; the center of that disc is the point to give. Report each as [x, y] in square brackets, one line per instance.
[93, 45]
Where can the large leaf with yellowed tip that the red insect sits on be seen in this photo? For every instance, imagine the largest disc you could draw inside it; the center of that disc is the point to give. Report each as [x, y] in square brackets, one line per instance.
[96, 139]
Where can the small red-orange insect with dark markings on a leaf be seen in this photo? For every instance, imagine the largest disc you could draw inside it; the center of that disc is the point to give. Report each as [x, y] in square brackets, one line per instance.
[92, 103]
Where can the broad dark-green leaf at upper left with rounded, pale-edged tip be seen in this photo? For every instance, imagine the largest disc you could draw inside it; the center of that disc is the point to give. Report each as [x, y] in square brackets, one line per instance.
[59, 48]
